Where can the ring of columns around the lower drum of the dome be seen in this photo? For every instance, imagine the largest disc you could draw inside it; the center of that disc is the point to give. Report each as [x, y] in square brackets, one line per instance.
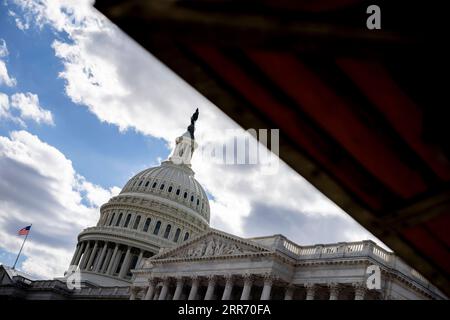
[104, 257]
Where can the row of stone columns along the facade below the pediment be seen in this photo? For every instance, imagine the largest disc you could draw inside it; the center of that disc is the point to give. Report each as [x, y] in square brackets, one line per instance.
[151, 292]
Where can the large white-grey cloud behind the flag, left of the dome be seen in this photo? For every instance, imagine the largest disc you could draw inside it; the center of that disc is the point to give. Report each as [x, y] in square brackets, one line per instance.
[39, 185]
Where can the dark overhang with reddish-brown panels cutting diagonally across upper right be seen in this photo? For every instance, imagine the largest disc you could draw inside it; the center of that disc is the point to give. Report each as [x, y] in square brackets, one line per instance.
[363, 114]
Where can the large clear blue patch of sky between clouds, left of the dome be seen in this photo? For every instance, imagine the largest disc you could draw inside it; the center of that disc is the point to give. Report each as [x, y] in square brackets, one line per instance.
[97, 149]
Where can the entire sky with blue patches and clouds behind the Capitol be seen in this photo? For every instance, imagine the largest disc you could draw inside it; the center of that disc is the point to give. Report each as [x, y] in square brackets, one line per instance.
[83, 108]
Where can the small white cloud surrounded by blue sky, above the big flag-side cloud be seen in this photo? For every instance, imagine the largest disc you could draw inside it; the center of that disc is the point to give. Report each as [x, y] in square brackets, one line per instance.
[28, 106]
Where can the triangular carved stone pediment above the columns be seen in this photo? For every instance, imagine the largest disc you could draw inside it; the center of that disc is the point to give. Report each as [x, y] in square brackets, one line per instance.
[213, 244]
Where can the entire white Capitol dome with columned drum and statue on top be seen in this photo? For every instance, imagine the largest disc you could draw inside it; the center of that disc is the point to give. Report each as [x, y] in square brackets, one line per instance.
[158, 208]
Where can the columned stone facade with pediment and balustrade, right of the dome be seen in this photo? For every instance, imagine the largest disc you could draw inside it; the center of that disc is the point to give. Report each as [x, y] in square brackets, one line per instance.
[223, 266]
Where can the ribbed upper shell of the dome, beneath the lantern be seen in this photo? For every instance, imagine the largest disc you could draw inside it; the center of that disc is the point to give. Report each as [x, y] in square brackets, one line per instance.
[171, 182]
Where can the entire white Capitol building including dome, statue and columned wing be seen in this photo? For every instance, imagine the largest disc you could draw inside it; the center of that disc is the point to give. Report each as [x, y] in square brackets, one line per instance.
[153, 241]
